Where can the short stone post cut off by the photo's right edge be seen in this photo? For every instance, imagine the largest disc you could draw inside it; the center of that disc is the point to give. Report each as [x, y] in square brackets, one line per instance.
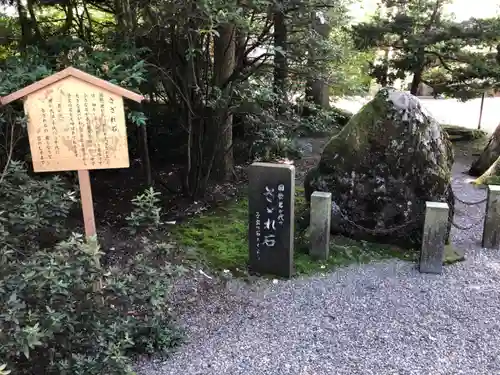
[491, 231]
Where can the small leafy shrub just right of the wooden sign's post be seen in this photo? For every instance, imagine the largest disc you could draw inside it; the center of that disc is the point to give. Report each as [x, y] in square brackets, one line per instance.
[146, 214]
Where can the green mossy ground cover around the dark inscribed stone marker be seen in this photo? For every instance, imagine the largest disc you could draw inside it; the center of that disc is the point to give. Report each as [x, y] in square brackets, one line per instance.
[221, 237]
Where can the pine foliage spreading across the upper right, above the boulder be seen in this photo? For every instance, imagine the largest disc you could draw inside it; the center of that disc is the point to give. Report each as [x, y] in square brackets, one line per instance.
[426, 43]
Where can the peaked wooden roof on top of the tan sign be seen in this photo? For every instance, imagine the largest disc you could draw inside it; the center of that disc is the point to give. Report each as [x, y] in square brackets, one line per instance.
[71, 72]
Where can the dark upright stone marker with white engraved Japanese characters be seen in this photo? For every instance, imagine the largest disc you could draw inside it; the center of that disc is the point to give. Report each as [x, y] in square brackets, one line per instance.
[271, 219]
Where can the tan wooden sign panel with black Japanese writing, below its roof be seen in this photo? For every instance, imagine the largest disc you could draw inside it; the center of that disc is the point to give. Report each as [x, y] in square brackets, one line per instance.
[76, 126]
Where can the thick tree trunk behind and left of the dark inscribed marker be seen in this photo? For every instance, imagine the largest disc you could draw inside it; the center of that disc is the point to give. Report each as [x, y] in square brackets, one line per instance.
[222, 122]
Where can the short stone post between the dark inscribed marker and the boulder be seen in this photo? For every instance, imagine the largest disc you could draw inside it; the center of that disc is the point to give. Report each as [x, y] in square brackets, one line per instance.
[321, 213]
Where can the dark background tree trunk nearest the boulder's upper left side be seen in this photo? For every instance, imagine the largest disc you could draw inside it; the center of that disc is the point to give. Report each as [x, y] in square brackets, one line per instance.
[317, 89]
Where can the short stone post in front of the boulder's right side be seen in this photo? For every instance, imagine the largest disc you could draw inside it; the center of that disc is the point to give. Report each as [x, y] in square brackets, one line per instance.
[434, 237]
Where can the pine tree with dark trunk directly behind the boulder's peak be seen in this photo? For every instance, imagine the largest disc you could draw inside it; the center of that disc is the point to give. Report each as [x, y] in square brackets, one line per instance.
[413, 34]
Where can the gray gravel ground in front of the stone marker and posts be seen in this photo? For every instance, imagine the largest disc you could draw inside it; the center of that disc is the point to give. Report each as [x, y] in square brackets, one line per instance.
[384, 318]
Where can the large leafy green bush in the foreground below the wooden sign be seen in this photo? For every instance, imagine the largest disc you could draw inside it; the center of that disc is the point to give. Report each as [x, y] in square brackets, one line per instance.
[57, 320]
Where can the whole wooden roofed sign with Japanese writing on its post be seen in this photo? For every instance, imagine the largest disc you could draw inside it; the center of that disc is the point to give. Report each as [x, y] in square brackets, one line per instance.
[76, 122]
